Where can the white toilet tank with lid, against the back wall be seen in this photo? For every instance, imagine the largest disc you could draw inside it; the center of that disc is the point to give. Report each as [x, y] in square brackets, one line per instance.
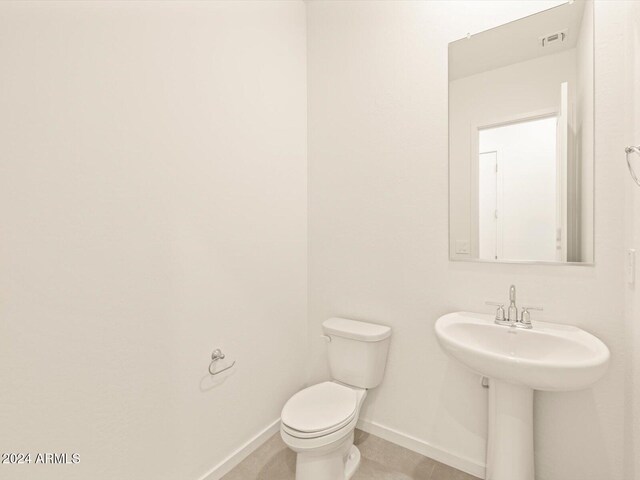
[357, 351]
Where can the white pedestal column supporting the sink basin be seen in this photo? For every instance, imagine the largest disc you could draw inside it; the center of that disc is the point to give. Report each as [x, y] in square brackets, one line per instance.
[510, 439]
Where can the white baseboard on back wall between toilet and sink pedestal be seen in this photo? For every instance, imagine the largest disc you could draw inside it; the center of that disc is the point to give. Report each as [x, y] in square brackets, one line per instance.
[423, 448]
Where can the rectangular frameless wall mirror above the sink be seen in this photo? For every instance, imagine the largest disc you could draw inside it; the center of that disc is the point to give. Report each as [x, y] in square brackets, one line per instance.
[521, 140]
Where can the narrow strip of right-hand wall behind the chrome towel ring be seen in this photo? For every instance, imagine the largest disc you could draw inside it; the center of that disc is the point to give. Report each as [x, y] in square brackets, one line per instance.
[631, 120]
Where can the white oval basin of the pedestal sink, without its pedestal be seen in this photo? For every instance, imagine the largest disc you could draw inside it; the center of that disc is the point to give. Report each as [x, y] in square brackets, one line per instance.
[548, 357]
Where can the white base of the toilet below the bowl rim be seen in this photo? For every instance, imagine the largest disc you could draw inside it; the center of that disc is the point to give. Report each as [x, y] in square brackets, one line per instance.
[339, 463]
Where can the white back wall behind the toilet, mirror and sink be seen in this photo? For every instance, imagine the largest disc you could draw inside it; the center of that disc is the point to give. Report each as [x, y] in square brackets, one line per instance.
[378, 251]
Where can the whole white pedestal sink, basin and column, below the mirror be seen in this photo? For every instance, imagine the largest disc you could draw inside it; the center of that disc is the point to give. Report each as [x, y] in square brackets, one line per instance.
[549, 357]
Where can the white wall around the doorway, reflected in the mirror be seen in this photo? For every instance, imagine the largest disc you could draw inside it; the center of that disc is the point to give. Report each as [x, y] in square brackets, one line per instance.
[523, 89]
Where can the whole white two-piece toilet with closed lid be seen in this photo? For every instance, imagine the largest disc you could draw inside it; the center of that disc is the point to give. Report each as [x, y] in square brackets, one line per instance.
[318, 422]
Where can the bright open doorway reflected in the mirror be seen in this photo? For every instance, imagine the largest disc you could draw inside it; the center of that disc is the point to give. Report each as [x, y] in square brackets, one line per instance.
[518, 197]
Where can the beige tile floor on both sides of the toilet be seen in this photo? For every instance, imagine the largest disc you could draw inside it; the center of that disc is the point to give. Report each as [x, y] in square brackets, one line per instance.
[381, 460]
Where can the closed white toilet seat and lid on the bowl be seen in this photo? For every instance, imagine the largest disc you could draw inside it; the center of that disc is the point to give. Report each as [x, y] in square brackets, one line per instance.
[320, 410]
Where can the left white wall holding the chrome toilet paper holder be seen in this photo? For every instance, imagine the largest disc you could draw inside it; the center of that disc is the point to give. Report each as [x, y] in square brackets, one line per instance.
[153, 207]
